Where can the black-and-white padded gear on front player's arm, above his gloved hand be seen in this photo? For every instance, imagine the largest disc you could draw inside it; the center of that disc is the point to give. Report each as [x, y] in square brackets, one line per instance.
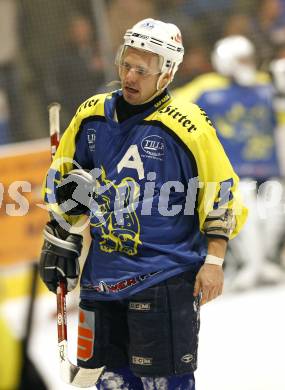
[74, 193]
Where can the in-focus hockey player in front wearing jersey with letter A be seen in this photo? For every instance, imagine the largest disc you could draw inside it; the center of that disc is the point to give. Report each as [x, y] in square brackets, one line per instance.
[162, 201]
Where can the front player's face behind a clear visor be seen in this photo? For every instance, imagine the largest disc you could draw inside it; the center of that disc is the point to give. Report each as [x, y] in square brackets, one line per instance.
[139, 72]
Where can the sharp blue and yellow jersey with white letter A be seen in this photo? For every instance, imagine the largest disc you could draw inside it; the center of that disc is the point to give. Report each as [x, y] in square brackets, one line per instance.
[160, 175]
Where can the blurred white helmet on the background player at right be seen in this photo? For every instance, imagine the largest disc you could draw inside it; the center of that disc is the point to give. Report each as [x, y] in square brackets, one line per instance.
[227, 55]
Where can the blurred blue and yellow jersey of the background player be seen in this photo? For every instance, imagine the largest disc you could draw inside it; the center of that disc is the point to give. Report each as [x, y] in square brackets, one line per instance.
[244, 119]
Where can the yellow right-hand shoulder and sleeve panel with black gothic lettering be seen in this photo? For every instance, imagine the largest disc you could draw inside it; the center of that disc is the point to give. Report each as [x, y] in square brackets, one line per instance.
[195, 130]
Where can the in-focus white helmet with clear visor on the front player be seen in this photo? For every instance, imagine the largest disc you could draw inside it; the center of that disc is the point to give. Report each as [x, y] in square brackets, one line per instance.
[160, 38]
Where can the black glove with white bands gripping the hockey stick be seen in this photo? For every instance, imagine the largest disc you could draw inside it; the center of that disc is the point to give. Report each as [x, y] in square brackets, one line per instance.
[59, 257]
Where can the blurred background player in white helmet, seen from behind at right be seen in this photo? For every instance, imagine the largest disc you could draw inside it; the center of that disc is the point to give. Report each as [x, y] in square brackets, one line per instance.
[239, 101]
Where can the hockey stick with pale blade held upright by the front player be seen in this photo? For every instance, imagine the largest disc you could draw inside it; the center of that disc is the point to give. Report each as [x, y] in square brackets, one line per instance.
[71, 374]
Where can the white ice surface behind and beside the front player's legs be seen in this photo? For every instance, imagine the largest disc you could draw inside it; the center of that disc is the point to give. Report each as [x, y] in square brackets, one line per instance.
[242, 340]
